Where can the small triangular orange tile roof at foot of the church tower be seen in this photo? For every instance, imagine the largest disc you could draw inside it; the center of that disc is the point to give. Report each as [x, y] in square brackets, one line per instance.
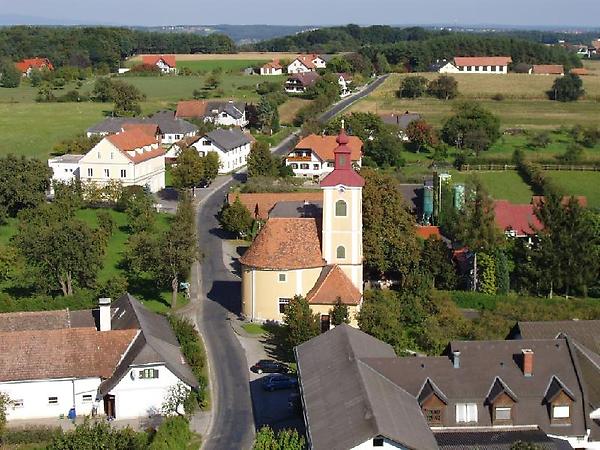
[332, 284]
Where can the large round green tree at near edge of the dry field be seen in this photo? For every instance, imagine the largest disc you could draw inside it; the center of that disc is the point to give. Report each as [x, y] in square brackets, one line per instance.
[471, 126]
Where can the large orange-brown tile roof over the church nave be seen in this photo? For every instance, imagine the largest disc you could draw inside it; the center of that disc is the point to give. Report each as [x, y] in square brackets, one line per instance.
[286, 244]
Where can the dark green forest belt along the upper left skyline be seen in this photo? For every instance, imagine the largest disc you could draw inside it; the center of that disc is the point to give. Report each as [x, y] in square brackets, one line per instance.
[101, 47]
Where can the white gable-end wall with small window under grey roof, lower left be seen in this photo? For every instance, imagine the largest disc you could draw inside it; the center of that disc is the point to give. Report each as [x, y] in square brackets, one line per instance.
[135, 397]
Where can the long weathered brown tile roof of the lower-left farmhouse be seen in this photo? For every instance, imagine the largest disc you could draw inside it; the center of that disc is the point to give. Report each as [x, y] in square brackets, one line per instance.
[71, 352]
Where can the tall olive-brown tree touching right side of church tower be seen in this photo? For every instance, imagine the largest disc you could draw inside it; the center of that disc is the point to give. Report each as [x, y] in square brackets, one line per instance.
[391, 249]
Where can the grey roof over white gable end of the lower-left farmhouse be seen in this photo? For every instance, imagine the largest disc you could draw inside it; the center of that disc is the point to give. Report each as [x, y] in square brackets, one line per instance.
[156, 343]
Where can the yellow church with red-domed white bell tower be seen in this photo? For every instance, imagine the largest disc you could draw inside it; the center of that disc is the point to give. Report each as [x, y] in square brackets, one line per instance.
[309, 249]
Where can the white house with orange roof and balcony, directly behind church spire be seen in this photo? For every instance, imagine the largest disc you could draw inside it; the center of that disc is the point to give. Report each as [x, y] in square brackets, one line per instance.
[313, 157]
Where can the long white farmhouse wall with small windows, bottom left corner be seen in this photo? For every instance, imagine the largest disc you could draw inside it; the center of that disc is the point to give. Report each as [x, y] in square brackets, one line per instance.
[34, 395]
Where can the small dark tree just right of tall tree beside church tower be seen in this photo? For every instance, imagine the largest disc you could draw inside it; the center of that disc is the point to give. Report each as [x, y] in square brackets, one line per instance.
[436, 261]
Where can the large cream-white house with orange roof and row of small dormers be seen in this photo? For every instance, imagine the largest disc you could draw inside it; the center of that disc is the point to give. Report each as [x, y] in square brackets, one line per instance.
[131, 157]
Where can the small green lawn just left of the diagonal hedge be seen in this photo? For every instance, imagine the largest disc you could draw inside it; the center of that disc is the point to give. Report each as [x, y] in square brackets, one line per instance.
[502, 185]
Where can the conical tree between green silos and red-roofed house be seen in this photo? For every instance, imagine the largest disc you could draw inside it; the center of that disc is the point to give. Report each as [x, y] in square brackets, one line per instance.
[477, 226]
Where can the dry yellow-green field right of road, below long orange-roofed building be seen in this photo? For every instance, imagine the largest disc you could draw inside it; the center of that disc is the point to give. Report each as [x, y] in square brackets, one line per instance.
[524, 106]
